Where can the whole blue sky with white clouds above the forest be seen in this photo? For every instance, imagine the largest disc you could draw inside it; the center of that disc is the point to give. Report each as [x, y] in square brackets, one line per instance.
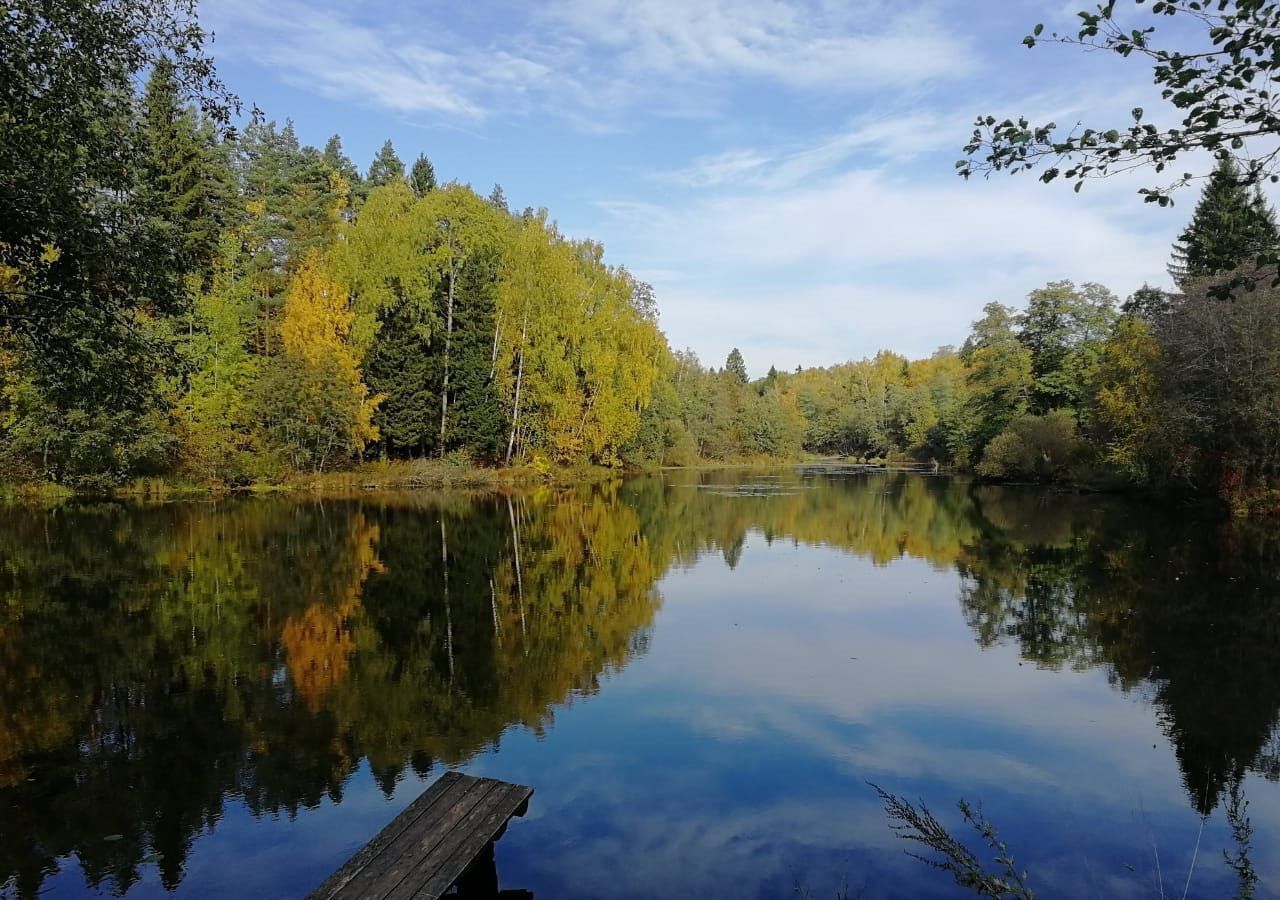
[781, 171]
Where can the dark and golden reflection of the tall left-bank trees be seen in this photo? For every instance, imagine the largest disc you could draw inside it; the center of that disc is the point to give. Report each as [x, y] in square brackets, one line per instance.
[157, 663]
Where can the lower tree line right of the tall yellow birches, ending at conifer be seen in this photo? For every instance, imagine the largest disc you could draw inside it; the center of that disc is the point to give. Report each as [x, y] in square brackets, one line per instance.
[1171, 390]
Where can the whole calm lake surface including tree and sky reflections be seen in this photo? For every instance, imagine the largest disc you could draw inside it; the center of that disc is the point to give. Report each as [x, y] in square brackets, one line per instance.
[698, 674]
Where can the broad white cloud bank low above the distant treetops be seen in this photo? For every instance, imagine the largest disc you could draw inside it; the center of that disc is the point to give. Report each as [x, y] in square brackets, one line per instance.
[813, 269]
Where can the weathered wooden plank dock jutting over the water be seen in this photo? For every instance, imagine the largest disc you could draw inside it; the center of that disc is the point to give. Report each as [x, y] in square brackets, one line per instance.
[433, 844]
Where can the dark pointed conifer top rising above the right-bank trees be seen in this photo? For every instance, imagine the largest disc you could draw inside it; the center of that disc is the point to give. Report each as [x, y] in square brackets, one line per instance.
[1228, 229]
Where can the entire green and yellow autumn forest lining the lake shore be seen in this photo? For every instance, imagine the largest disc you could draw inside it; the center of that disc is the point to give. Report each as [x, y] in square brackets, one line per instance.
[227, 307]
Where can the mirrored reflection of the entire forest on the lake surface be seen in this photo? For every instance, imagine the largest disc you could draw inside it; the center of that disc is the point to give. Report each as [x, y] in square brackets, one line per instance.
[159, 664]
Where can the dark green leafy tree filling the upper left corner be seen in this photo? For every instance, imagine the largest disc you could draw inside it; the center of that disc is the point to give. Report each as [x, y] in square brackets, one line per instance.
[79, 253]
